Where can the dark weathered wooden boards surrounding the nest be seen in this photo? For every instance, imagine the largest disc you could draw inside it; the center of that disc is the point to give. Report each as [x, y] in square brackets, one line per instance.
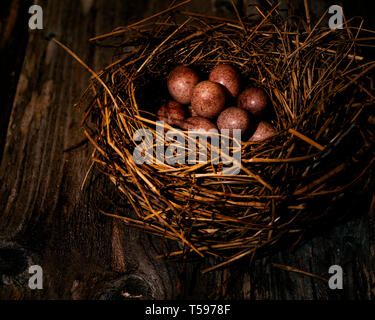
[47, 219]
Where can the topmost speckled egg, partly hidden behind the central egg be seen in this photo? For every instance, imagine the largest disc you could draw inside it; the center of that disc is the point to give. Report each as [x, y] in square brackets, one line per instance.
[228, 77]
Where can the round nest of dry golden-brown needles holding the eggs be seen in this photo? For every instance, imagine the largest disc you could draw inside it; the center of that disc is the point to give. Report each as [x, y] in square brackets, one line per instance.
[321, 90]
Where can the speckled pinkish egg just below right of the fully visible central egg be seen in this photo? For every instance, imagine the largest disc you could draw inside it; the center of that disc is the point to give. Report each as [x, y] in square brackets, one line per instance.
[234, 118]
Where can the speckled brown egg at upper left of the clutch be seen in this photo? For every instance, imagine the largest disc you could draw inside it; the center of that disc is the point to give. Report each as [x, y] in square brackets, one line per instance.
[181, 82]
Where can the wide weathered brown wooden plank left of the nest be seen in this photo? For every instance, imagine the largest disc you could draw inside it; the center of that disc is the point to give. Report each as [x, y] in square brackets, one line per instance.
[42, 205]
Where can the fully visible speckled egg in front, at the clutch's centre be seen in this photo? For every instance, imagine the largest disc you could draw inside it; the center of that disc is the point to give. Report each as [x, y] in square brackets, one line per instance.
[208, 99]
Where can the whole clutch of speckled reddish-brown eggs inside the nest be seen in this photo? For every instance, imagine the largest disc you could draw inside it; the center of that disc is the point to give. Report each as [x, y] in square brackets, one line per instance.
[216, 103]
